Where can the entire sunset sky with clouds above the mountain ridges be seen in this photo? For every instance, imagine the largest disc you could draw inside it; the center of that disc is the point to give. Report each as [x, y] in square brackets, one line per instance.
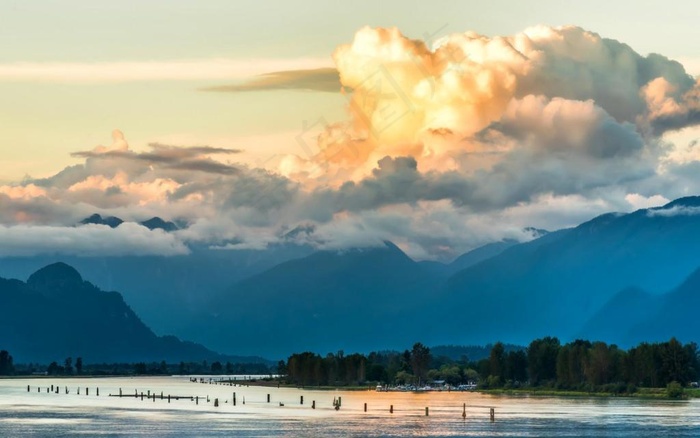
[440, 126]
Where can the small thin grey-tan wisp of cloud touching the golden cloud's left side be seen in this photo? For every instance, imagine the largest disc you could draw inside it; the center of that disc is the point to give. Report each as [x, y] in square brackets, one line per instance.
[320, 79]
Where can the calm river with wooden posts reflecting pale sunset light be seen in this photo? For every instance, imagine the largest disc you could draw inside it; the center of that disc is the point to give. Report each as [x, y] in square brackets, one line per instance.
[38, 413]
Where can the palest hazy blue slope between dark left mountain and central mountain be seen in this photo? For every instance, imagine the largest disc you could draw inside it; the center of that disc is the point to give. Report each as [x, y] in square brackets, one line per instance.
[168, 292]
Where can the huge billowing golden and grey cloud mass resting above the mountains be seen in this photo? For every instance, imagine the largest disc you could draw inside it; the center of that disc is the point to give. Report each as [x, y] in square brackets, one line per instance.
[445, 148]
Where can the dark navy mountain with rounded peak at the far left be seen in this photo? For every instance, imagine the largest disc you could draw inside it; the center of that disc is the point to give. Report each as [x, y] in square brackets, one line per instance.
[56, 314]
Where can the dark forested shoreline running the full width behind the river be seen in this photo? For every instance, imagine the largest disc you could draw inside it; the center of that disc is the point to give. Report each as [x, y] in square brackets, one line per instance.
[545, 363]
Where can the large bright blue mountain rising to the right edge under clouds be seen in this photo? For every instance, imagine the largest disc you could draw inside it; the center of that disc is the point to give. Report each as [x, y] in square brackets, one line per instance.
[555, 284]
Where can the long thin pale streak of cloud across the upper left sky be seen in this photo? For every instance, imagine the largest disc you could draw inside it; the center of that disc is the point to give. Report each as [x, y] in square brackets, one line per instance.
[173, 70]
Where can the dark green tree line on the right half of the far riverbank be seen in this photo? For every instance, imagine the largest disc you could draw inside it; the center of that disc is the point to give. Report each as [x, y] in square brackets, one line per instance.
[577, 365]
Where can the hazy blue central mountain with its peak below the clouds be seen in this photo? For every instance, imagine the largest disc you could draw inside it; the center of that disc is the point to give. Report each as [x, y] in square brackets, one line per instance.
[354, 300]
